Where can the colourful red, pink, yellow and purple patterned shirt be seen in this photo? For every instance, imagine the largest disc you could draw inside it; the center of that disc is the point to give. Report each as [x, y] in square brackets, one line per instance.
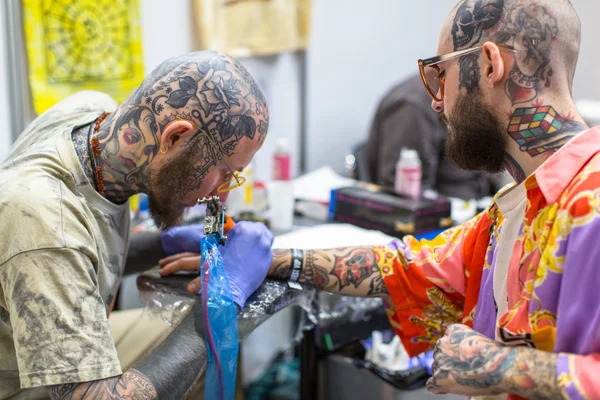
[552, 281]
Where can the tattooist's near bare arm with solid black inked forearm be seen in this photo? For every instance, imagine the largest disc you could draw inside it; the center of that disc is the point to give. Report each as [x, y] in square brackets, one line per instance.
[168, 372]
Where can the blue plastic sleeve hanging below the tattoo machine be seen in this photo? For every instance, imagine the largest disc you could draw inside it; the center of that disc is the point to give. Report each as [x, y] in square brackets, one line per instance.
[220, 322]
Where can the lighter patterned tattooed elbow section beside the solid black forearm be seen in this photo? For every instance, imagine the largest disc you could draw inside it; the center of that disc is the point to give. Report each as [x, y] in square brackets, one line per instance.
[131, 385]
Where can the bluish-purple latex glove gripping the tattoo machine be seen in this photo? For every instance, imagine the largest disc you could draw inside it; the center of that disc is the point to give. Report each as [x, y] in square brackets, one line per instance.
[247, 257]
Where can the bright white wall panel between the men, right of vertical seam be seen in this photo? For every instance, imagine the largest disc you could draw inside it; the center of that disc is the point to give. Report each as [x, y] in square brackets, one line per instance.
[358, 51]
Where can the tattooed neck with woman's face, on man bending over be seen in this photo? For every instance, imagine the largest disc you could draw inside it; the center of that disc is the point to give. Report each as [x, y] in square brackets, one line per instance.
[123, 176]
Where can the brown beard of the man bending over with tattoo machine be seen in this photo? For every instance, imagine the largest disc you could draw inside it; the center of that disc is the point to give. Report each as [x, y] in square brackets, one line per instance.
[165, 186]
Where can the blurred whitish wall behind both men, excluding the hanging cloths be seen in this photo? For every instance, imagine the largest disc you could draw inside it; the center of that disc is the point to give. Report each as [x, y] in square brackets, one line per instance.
[321, 99]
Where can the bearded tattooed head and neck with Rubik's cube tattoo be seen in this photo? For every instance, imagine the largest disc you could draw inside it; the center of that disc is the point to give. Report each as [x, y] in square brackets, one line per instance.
[508, 104]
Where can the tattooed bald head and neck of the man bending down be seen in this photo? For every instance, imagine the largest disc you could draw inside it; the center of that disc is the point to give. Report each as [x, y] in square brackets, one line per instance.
[193, 122]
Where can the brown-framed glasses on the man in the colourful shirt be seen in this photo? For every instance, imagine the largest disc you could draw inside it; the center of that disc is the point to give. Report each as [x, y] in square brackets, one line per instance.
[434, 79]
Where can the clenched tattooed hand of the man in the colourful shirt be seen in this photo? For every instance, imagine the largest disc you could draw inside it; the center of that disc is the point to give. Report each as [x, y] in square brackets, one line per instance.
[468, 363]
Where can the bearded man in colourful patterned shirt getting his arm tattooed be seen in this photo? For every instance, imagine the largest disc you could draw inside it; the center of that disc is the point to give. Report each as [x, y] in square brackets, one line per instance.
[509, 300]
